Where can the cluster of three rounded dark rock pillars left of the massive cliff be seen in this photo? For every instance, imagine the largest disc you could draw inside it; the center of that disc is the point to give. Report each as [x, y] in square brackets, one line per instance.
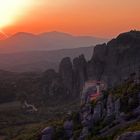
[68, 82]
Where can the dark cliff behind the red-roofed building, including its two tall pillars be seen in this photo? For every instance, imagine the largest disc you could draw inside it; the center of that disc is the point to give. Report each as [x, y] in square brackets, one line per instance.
[112, 63]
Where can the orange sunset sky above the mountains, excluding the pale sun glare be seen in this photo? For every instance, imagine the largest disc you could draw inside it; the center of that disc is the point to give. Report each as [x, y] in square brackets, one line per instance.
[105, 18]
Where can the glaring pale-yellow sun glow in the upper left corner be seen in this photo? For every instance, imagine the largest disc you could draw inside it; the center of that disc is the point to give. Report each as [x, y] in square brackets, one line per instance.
[11, 10]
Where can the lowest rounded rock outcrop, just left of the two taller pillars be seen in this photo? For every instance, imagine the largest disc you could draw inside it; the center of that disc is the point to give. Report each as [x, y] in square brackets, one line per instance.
[52, 86]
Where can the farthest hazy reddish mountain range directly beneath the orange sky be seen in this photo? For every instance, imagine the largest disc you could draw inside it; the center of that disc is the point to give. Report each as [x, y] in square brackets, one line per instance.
[46, 41]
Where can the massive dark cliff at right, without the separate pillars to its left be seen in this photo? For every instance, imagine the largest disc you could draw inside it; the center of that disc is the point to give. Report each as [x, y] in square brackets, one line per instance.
[116, 60]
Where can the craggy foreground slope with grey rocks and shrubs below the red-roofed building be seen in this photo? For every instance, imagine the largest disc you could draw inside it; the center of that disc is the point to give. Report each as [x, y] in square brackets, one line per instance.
[105, 118]
